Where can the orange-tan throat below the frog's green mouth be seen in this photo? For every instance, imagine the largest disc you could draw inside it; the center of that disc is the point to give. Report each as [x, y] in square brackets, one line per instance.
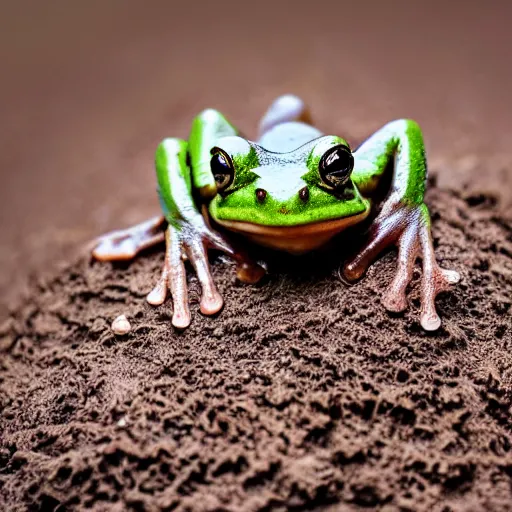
[293, 239]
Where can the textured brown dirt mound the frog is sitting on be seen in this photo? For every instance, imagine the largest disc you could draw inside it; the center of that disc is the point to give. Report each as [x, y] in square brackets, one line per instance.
[304, 393]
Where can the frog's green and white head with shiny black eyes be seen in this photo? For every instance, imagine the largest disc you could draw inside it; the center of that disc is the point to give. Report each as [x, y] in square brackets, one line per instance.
[293, 201]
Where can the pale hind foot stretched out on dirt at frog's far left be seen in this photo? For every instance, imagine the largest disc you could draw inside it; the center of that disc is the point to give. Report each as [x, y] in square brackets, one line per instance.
[127, 243]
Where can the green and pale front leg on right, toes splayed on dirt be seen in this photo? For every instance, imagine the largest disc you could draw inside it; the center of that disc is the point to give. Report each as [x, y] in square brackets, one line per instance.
[404, 219]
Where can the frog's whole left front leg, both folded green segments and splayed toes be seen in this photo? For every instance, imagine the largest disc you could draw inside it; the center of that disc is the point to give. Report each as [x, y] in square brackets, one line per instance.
[181, 166]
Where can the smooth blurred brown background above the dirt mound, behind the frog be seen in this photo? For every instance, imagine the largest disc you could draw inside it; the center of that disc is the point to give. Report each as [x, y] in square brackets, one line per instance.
[88, 89]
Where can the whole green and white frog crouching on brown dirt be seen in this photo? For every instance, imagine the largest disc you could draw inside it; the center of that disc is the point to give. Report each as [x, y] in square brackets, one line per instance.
[292, 189]
